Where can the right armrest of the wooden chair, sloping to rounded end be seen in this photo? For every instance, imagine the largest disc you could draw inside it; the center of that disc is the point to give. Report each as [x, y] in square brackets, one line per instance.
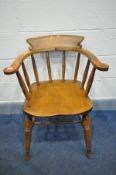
[93, 59]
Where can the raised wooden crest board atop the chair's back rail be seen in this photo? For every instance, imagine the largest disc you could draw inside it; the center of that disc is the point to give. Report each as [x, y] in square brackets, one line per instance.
[54, 41]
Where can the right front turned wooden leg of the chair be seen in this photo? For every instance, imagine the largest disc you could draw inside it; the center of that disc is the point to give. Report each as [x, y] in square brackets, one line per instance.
[87, 134]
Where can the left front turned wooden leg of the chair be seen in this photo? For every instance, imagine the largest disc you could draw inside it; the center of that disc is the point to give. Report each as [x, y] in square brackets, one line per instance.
[28, 128]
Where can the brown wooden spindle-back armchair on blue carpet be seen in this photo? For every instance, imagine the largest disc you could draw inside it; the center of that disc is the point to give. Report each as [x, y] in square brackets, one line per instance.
[56, 97]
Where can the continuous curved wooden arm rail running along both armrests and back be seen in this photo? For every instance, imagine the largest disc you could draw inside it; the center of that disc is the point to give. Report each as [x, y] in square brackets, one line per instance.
[91, 57]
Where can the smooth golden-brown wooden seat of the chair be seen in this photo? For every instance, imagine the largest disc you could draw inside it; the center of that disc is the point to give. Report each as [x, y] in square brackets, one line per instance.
[57, 98]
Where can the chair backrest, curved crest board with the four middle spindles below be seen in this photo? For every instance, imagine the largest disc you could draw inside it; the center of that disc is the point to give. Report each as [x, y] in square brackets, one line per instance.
[57, 43]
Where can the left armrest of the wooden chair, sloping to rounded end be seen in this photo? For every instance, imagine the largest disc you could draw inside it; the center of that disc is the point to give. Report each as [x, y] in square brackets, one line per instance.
[16, 64]
